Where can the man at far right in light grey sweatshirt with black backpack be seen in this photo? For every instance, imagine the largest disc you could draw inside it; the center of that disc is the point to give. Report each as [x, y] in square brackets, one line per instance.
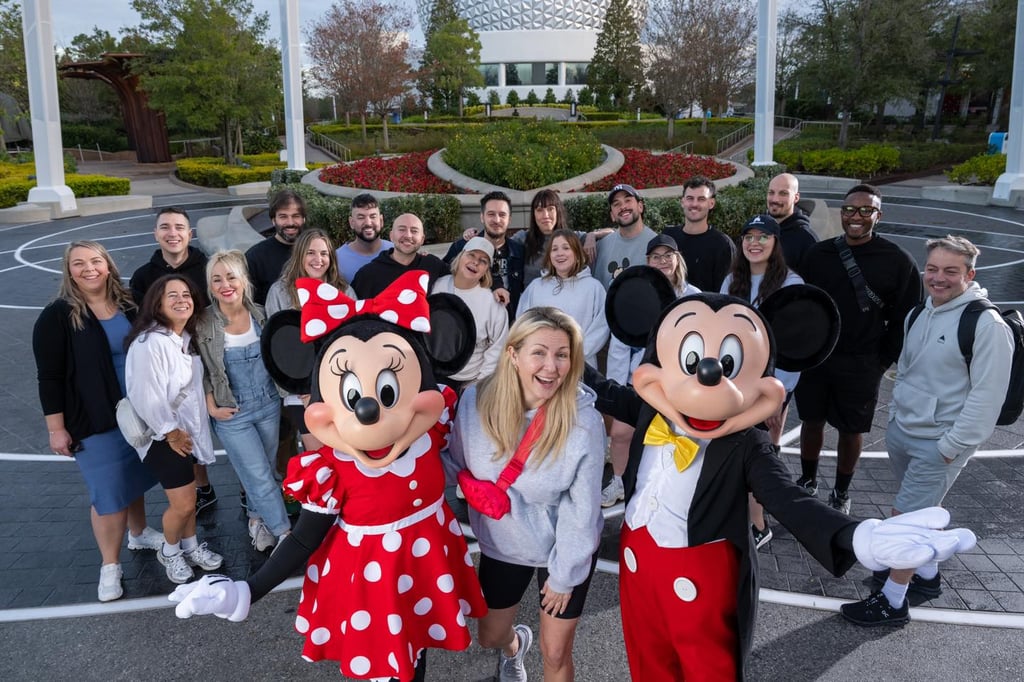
[943, 409]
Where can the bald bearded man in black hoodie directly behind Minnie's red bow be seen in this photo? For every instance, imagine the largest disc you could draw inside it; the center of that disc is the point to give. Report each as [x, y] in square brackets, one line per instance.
[407, 235]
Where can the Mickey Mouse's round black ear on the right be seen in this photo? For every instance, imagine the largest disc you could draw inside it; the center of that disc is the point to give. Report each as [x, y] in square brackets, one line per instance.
[805, 323]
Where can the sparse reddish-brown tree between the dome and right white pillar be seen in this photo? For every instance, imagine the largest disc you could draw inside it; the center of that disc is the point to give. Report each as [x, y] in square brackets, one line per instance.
[702, 51]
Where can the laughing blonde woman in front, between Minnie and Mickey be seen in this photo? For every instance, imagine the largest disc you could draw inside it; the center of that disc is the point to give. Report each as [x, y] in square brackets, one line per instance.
[556, 522]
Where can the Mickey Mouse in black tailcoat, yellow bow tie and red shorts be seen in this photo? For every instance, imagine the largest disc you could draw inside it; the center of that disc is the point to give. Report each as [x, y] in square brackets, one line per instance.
[688, 565]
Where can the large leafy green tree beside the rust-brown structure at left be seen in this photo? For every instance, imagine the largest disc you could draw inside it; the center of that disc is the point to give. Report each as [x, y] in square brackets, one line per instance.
[211, 68]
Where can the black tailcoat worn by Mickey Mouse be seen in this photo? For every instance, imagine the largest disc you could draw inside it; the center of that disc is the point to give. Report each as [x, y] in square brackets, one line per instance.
[735, 465]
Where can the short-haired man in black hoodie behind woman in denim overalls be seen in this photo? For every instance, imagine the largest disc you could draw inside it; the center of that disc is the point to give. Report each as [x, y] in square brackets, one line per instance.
[176, 257]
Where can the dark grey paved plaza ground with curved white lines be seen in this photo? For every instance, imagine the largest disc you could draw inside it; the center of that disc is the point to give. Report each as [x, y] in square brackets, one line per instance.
[49, 557]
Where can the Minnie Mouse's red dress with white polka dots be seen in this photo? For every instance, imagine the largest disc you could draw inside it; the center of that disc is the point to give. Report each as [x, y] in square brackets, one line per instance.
[394, 575]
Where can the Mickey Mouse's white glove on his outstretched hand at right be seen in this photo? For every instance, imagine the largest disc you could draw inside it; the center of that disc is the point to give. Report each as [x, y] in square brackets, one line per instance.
[910, 541]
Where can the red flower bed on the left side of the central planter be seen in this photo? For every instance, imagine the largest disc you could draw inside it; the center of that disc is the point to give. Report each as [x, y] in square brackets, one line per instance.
[406, 174]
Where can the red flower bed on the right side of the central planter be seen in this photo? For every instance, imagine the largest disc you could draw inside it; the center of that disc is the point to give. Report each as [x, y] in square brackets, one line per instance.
[644, 169]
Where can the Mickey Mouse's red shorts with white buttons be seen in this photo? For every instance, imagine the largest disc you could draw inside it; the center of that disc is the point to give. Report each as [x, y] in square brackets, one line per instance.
[679, 609]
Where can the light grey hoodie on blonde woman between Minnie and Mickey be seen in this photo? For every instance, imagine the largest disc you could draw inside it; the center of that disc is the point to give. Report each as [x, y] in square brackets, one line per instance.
[557, 519]
